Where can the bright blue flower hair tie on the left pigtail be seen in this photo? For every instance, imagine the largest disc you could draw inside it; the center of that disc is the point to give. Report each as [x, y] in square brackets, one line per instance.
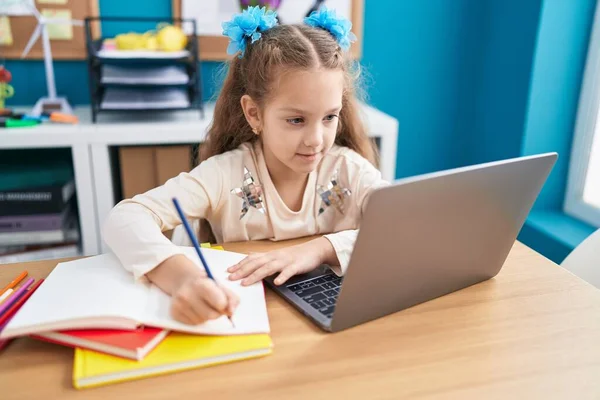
[249, 24]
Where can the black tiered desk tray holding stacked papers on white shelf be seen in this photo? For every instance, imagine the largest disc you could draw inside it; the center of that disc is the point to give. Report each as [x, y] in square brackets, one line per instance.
[125, 81]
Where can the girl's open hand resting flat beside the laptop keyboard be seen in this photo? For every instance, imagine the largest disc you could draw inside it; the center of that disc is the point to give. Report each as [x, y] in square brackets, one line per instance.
[288, 262]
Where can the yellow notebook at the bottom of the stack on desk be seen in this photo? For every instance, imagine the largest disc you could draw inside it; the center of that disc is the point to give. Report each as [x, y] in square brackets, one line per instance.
[178, 352]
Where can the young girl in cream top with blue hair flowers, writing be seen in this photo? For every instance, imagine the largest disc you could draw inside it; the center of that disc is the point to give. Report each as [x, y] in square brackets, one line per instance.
[286, 156]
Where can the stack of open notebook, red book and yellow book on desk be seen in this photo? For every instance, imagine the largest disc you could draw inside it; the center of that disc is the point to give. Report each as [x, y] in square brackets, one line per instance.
[121, 330]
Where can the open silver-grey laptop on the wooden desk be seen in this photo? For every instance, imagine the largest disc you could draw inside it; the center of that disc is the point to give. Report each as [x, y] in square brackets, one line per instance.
[421, 238]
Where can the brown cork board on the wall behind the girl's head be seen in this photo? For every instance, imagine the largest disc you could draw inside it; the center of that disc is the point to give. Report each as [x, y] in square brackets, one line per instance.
[214, 48]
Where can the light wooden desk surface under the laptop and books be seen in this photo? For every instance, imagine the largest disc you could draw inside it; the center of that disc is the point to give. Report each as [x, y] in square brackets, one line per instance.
[533, 332]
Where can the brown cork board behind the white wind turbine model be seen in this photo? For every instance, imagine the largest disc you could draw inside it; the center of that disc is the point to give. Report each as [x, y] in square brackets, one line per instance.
[22, 28]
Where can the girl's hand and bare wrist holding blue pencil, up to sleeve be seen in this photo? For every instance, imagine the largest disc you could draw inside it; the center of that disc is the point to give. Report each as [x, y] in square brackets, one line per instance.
[195, 297]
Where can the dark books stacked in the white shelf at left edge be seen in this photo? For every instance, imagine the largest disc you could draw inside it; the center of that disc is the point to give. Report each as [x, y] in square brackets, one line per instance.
[38, 214]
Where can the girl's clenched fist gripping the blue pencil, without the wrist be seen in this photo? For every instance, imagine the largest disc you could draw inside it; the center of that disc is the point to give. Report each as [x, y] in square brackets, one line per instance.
[199, 299]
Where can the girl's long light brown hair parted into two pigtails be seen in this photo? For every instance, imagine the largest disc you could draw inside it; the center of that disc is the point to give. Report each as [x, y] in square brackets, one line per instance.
[280, 49]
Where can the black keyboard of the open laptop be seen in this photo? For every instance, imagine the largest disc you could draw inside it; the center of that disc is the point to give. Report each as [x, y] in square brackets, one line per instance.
[321, 293]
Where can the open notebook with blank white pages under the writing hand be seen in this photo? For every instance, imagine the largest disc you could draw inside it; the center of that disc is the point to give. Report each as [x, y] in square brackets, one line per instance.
[97, 292]
